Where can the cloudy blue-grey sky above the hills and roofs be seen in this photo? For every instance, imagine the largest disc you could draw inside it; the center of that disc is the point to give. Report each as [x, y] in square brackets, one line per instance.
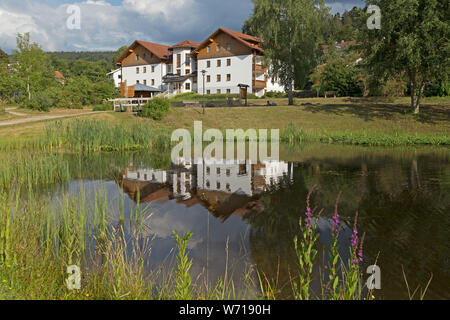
[106, 25]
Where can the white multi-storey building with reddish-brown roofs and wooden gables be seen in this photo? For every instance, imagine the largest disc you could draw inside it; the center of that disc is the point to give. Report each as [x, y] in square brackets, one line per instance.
[215, 66]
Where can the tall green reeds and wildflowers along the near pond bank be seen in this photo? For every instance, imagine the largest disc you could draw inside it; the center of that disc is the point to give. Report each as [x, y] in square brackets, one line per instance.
[91, 235]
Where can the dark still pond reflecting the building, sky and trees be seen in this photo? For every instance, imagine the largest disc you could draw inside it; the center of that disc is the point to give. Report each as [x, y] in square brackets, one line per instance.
[246, 214]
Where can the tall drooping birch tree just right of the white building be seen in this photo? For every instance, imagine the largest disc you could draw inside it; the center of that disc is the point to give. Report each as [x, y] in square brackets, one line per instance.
[291, 31]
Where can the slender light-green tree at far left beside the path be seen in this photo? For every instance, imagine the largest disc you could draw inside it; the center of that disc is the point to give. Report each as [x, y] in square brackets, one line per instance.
[32, 68]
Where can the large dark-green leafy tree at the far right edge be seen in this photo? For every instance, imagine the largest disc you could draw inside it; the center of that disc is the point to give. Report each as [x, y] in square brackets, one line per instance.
[413, 39]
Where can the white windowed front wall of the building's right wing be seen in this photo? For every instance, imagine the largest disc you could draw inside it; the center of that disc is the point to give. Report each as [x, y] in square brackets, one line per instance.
[241, 71]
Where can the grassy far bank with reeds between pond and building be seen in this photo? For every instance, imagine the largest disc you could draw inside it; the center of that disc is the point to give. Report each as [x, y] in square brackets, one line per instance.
[364, 122]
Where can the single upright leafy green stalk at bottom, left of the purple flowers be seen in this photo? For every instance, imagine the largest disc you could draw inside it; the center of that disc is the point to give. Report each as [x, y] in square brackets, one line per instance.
[183, 281]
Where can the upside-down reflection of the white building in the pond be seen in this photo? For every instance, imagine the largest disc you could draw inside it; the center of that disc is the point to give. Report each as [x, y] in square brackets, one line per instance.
[225, 188]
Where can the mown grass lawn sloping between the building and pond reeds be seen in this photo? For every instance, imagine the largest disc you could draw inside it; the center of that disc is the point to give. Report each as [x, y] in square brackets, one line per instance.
[341, 115]
